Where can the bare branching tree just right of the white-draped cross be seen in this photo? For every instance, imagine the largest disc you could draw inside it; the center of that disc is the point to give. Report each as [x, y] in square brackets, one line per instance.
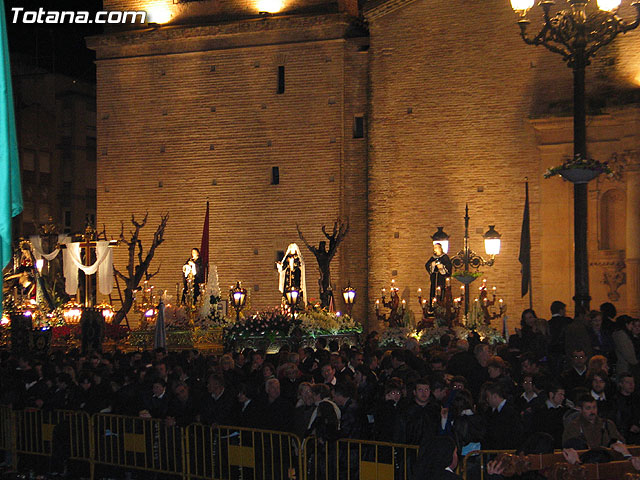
[138, 261]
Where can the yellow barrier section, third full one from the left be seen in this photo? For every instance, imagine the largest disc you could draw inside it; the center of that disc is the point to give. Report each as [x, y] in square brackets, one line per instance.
[227, 452]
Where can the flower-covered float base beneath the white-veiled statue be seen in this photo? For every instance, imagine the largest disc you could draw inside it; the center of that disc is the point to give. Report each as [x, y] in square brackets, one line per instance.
[271, 329]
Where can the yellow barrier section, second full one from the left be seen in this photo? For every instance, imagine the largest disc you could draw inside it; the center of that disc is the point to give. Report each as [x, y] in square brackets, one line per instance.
[138, 443]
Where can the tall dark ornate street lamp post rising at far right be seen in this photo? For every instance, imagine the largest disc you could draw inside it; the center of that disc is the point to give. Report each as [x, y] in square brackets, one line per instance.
[577, 35]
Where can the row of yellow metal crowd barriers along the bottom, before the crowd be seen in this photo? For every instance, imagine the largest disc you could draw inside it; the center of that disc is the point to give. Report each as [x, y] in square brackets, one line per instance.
[226, 452]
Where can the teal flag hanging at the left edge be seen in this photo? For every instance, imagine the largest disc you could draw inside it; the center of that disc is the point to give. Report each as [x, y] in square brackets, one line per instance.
[10, 191]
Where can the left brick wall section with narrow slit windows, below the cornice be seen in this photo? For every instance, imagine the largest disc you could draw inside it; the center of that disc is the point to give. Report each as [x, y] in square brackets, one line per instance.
[177, 130]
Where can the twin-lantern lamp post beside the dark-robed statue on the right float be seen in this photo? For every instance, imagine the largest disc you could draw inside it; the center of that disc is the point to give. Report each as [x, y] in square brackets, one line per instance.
[467, 258]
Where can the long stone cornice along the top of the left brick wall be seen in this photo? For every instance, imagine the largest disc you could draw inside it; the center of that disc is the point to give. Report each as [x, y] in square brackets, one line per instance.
[328, 26]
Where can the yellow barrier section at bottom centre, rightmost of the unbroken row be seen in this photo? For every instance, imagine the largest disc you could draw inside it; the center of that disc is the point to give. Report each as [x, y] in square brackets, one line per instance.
[349, 459]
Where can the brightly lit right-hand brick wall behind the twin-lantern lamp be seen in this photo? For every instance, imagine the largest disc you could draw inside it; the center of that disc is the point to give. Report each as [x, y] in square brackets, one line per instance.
[451, 95]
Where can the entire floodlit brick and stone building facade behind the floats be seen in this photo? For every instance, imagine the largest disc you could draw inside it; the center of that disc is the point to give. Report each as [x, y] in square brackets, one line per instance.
[396, 127]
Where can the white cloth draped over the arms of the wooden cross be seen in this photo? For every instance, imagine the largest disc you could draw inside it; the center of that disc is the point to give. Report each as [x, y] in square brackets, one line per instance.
[103, 265]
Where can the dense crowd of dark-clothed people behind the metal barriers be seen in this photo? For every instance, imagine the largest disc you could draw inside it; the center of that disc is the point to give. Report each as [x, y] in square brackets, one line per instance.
[559, 383]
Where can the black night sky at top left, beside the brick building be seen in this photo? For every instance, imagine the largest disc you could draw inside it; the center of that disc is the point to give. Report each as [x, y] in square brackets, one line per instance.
[57, 48]
